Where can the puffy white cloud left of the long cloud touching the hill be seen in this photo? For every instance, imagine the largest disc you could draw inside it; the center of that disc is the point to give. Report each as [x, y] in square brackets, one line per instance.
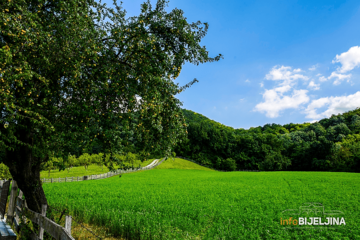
[276, 102]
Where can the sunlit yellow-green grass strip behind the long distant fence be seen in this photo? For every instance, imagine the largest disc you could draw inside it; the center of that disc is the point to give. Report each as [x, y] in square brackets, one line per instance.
[81, 171]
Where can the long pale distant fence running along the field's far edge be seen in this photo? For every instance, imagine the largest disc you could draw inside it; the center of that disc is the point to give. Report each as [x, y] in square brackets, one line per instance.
[102, 176]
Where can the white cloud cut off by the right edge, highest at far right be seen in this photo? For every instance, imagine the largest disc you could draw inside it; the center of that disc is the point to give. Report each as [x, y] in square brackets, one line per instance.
[349, 60]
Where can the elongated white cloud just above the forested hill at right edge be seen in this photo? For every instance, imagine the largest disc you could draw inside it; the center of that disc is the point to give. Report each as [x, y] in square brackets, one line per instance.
[335, 105]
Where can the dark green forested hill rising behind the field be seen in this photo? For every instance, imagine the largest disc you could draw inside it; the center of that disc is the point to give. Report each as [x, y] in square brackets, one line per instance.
[332, 144]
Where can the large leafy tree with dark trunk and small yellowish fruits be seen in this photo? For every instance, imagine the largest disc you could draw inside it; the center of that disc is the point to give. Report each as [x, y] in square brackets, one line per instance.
[68, 79]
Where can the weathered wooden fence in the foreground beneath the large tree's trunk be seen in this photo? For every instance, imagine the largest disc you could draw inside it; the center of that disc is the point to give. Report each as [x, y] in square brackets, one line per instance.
[18, 211]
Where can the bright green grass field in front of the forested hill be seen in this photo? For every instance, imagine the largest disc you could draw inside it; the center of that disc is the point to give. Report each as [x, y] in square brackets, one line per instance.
[197, 204]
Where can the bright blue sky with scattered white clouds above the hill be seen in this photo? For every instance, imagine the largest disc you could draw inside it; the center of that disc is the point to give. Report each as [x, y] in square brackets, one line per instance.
[284, 61]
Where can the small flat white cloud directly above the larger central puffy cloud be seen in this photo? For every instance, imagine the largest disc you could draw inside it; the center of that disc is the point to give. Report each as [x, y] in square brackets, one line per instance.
[285, 74]
